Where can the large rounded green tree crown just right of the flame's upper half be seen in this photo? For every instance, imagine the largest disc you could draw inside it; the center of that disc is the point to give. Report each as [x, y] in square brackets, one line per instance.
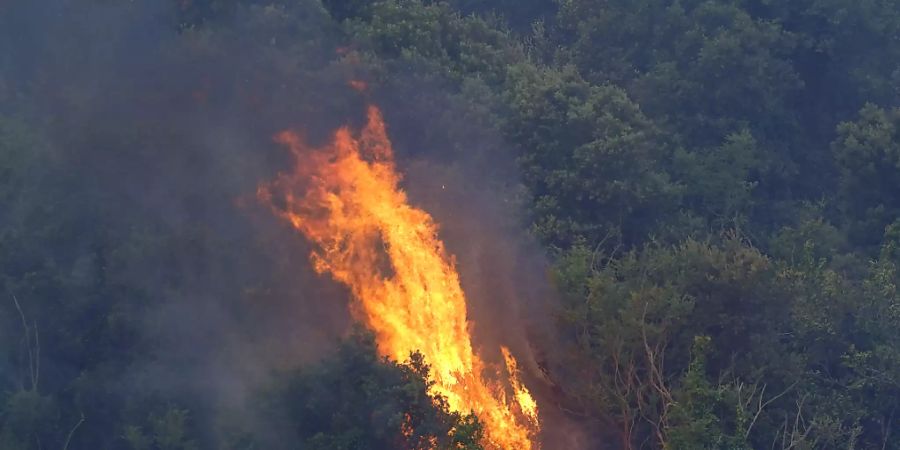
[589, 157]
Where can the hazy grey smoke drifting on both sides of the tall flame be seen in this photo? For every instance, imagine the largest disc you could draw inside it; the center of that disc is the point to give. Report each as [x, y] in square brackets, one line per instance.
[168, 126]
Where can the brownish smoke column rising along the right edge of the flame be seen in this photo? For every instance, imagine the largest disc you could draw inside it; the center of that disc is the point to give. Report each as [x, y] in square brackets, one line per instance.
[464, 174]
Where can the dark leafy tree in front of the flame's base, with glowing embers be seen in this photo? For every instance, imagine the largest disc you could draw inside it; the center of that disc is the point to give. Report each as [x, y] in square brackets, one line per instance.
[355, 399]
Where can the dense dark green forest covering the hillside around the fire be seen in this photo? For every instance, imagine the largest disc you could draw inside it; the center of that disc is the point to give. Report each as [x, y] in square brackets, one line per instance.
[716, 184]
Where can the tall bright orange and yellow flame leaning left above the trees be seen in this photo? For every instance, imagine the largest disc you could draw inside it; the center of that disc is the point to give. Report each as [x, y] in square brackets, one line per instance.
[345, 198]
